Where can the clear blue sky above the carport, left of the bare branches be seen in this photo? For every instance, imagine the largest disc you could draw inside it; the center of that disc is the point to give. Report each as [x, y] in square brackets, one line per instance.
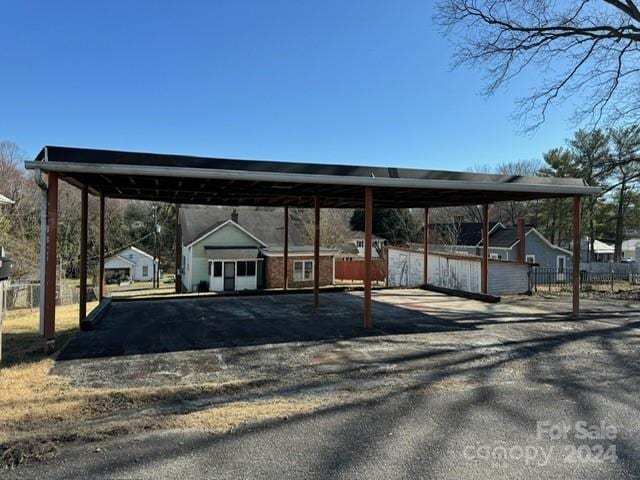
[362, 82]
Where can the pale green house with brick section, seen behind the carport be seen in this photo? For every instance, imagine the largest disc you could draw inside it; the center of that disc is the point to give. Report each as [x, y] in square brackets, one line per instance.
[232, 249]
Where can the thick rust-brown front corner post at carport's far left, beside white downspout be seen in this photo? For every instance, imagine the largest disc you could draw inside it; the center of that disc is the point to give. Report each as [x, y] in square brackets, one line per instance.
[50, 263]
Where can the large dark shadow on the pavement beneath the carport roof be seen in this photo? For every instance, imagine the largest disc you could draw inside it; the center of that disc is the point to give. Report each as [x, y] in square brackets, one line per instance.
[174, 325]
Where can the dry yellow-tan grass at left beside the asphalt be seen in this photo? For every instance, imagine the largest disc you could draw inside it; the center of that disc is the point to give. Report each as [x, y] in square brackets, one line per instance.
[39, 411]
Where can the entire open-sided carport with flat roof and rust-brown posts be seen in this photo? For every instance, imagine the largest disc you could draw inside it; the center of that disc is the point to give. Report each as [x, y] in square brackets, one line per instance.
[218, 181]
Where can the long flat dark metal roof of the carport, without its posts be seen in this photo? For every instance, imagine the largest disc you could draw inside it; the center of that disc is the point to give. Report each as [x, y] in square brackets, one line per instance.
[221, 181]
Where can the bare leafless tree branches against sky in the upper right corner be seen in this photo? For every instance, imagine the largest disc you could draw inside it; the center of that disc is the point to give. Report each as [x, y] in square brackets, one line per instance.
[589, 47]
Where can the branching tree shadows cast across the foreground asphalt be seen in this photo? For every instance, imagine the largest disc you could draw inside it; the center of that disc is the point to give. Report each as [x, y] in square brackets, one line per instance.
[344, 447]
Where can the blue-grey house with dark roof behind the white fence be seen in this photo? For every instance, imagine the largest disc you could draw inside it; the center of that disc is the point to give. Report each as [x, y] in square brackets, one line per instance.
[503, 243]
